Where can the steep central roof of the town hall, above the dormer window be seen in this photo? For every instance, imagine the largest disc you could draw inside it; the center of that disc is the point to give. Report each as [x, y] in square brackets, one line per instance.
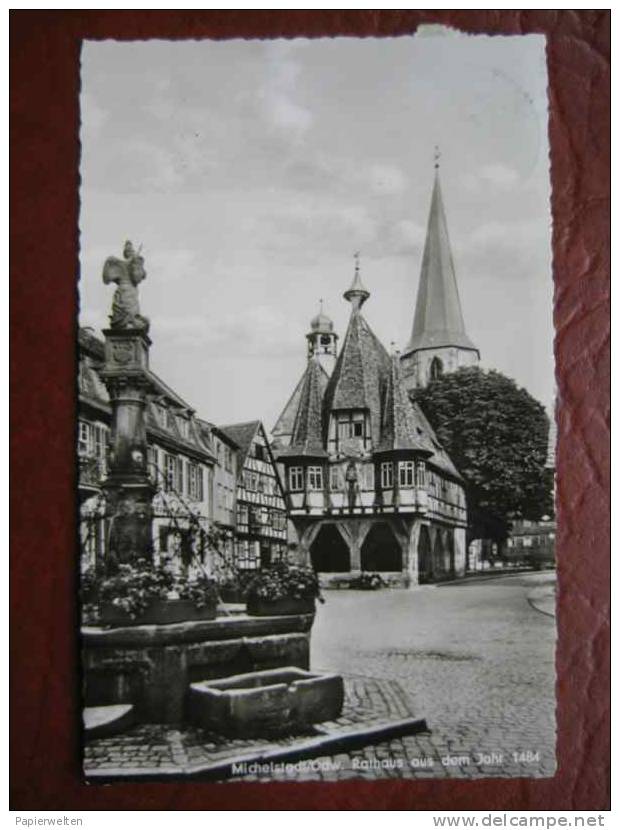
[355, 382]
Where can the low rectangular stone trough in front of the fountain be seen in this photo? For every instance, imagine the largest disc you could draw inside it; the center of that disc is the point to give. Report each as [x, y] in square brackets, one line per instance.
[265, 702]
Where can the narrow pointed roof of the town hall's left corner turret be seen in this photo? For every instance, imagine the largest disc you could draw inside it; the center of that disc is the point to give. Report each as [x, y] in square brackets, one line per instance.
[307, 433]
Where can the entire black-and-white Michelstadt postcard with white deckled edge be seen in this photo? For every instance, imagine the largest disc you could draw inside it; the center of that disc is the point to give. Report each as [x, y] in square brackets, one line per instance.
[316, 409]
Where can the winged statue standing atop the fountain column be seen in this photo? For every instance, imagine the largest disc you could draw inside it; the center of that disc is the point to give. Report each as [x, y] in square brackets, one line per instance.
[127, 273]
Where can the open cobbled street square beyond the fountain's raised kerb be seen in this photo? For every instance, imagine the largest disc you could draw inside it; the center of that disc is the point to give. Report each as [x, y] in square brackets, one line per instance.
[475, 658]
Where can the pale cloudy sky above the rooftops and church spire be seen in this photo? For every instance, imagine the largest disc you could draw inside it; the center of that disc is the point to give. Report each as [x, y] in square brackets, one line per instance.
[251, 171]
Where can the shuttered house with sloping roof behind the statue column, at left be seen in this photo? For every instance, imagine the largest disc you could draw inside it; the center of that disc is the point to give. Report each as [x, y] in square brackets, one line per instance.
[180, 464]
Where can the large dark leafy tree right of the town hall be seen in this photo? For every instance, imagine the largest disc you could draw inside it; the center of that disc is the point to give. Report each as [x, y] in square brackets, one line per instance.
[496, 434]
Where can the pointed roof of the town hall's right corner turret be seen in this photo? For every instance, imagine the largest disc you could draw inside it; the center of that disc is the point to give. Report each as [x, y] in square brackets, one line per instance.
[401, 428]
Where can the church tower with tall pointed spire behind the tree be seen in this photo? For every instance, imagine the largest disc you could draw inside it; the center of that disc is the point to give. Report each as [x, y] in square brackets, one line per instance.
[438, 342]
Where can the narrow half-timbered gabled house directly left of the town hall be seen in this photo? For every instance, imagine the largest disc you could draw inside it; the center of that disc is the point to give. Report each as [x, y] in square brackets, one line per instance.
[260, 532]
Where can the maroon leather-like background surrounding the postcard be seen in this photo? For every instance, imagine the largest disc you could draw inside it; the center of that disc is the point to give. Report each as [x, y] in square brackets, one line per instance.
[44, 55]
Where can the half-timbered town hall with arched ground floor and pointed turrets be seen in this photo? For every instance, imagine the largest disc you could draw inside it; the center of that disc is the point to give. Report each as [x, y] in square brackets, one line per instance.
[368, 486]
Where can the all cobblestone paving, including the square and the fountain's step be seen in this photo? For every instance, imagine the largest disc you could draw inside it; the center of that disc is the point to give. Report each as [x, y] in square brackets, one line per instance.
[474, 658]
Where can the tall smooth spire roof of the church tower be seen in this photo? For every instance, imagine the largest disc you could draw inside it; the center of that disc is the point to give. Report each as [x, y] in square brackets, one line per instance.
[438, 319]
